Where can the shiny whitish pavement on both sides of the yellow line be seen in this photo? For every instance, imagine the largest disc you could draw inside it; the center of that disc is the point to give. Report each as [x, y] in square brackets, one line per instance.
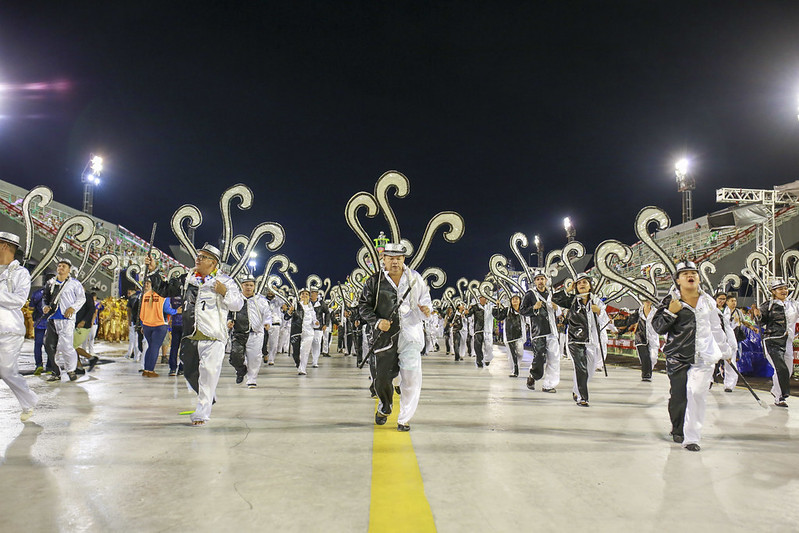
[111, 453]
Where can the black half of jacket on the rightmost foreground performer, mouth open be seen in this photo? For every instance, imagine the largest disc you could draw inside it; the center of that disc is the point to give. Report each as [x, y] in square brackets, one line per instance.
[680, 332]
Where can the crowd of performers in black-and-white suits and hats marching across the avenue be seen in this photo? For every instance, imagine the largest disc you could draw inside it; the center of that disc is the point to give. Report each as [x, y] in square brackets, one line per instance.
[391, 326]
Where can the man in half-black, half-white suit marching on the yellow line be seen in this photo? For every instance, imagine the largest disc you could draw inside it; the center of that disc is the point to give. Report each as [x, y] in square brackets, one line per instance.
[402, 339]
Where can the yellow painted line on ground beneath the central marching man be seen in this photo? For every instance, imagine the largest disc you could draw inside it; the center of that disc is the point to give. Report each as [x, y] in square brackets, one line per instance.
[398, 501]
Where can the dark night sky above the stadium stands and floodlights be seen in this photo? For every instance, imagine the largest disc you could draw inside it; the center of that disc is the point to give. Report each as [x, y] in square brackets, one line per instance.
[513, 114]
